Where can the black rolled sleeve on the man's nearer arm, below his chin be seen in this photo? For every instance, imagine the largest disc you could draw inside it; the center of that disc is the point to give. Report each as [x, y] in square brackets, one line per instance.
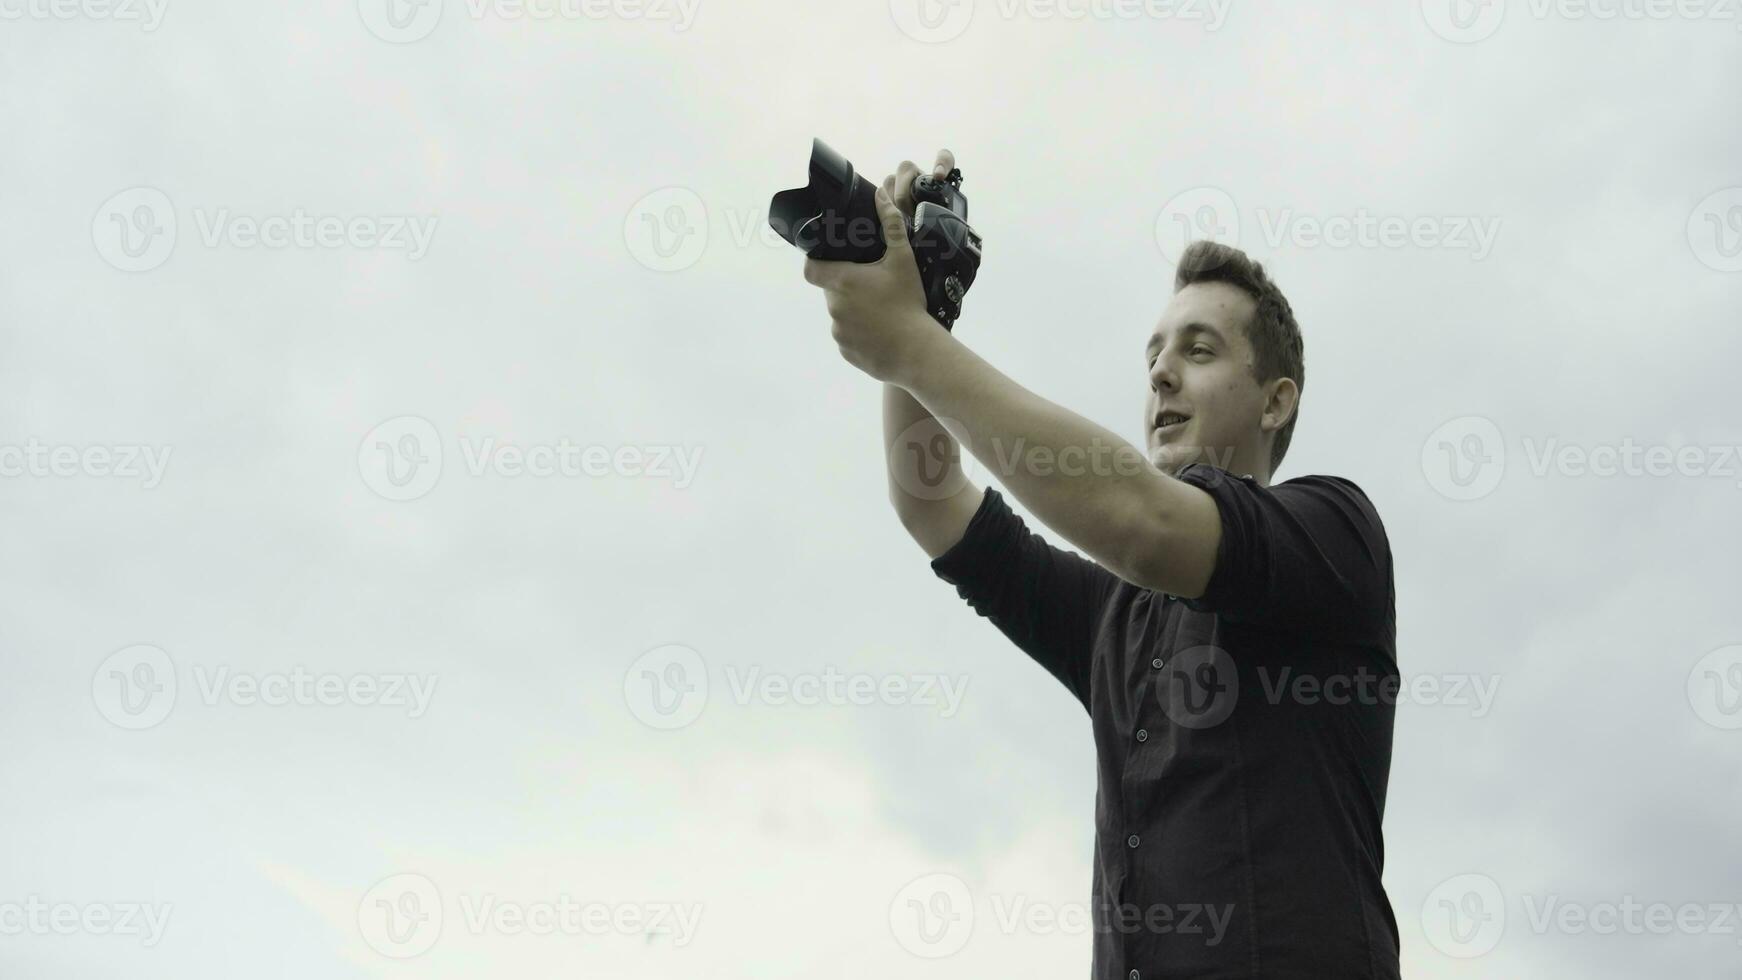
[1309, 551]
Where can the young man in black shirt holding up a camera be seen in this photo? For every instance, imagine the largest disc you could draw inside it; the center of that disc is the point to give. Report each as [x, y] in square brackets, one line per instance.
[1232, 641]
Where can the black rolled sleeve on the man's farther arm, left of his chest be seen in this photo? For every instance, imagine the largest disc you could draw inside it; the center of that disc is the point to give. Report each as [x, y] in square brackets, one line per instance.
[1043, 598]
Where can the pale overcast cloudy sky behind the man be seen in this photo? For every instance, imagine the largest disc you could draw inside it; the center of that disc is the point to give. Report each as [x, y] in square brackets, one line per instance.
[442, 537]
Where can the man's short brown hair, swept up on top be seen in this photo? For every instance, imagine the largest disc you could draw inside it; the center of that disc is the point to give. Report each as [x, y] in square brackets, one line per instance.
[1276, 339]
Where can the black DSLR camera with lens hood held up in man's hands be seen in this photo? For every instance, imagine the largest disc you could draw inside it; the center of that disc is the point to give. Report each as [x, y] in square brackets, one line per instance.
[835, 218]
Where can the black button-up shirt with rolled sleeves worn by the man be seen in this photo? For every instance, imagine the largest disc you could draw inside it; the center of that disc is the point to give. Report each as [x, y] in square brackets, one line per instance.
[1243, 739]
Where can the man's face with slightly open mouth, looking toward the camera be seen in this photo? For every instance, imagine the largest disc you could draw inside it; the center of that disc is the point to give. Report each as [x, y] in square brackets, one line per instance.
[1201, 366]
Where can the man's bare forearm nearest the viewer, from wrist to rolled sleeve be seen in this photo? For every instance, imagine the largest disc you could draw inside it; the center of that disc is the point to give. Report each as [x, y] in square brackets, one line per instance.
[1083, 481]
